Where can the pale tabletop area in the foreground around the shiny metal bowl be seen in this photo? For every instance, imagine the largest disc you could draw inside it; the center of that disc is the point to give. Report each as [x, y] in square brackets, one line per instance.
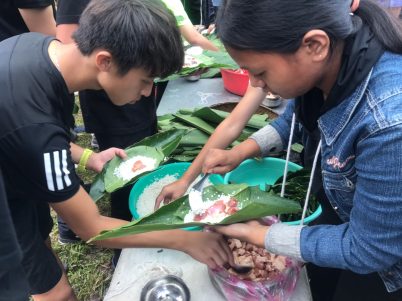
[137, 266]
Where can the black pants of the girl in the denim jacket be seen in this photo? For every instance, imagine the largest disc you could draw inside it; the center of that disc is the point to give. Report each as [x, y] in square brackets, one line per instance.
[328, 284]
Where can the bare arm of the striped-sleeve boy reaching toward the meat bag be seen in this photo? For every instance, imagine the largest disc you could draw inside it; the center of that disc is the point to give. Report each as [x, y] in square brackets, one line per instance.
[83, 217]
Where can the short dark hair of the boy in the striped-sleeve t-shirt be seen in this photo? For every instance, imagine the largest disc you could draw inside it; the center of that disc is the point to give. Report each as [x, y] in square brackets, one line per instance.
[138, 34]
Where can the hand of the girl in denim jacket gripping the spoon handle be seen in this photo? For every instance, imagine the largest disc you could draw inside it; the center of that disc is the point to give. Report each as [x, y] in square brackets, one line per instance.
[220, 161]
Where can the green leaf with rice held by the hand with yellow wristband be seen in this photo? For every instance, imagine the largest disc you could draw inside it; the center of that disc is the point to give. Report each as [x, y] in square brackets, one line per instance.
[113, 182]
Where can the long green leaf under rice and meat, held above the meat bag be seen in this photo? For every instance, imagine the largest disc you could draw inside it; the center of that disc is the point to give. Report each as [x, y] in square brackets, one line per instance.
[253, 204]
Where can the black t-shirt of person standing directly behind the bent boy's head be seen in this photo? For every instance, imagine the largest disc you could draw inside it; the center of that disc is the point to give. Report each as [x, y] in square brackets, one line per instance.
[100, 114]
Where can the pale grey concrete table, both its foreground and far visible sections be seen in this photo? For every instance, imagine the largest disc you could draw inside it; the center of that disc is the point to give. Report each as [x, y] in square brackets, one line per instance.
[137, 266]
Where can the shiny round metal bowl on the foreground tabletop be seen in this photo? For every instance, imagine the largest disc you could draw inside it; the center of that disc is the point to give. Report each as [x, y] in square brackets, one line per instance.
[166, 288]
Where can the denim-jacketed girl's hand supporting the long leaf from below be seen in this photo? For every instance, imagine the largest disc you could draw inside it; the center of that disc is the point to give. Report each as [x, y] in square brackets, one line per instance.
[252, 232]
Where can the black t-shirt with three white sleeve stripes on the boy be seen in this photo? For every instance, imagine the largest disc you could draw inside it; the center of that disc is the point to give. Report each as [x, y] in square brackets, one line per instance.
[35, 109]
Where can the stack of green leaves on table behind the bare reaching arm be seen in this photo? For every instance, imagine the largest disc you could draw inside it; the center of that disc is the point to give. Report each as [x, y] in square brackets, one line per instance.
[199, 125]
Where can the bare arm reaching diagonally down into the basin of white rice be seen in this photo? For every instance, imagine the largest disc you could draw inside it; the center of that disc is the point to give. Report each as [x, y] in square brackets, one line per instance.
[227, 131]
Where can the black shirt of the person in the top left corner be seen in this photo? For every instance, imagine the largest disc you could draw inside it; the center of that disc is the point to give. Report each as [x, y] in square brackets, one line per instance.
[11, 22]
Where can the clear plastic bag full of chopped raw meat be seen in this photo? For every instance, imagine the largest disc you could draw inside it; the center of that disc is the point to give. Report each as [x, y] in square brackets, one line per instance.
[272, 277]
